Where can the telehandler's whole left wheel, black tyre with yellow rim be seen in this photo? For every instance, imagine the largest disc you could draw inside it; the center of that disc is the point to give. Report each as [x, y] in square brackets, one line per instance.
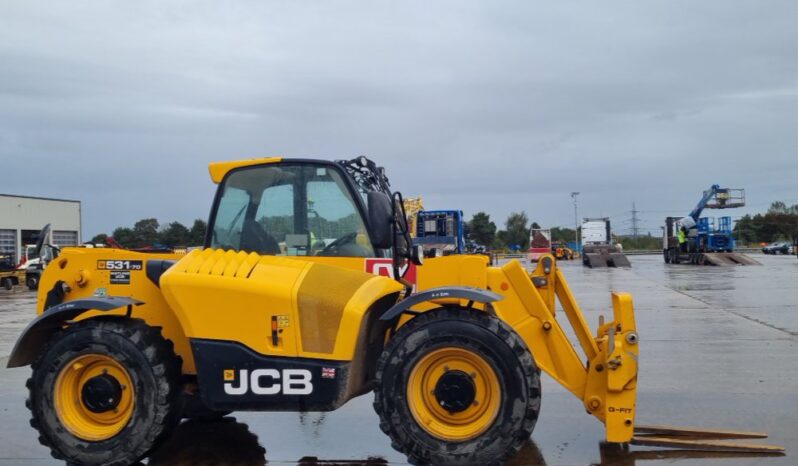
[128, 347]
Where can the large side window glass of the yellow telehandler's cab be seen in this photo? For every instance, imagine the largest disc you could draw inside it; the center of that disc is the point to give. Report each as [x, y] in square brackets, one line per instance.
[290, 210]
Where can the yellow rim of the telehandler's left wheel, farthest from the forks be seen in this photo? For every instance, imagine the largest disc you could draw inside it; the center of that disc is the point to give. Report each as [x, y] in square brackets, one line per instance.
[72, 410]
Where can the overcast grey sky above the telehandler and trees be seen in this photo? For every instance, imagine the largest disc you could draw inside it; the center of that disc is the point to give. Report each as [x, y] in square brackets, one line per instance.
[494, 105]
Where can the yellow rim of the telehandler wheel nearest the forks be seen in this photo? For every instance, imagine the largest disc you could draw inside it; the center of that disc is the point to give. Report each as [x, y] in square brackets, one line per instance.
[427, 409]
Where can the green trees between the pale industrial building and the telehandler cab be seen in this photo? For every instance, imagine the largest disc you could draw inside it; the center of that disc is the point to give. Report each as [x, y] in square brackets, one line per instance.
[148, 232]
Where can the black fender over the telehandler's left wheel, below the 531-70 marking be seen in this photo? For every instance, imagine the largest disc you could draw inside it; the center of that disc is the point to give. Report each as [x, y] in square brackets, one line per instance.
[42, 327]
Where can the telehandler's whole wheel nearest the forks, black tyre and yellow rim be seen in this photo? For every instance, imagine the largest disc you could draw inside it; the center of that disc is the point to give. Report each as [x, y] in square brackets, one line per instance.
[457, 387]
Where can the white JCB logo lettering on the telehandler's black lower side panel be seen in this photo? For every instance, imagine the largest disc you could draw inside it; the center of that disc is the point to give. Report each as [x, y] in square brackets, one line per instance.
[294, 382]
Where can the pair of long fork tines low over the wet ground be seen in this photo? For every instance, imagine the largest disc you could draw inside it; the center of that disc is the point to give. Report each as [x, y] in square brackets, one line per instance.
[700, 439]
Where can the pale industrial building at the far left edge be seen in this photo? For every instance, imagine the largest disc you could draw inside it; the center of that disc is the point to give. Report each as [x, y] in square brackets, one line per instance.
[22, 217]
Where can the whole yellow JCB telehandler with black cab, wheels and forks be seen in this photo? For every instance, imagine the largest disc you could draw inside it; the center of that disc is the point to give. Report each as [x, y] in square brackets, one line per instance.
[309, 293]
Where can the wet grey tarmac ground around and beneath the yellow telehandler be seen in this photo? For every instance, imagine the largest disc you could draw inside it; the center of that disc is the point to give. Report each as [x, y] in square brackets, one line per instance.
[719, 348]
